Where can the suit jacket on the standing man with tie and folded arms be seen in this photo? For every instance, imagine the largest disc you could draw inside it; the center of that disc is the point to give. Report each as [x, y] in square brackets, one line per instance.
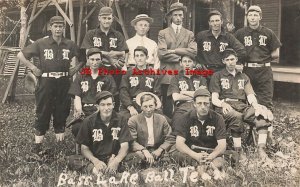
[183, 43]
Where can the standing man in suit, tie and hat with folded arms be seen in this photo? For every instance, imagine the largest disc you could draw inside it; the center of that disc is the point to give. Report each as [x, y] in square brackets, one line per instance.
[173, 42]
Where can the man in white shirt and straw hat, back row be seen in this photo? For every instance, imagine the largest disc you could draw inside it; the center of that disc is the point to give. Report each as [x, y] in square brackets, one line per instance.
[141, 24]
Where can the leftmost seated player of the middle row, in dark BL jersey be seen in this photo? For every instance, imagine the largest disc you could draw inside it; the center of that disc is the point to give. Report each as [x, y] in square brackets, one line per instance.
[86, 86]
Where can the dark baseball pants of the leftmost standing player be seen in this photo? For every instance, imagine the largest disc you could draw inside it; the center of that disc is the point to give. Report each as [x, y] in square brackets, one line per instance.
[52, 99]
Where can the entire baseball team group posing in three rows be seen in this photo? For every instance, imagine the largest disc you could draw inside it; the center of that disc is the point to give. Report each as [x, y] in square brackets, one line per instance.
[145, 119]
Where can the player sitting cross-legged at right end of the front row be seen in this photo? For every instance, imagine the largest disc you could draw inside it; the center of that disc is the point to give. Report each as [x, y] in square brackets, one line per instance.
[200, 129]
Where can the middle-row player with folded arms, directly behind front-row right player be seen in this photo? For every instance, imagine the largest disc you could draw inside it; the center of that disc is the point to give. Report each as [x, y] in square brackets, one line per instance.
[184, 85]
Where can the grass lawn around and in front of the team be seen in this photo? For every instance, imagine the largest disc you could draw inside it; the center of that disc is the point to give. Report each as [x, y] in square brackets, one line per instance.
[20, 167]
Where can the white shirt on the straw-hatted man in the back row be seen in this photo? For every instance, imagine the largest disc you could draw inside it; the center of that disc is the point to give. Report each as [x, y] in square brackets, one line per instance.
[151, 46]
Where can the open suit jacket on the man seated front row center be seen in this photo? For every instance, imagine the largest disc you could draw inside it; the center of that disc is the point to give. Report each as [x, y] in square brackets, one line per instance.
[139, 131]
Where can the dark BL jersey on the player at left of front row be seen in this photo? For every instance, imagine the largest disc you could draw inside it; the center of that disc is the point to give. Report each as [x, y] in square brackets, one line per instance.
[102, 140]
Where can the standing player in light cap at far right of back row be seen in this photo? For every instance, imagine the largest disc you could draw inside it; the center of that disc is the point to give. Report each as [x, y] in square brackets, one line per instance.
[262, 46]
